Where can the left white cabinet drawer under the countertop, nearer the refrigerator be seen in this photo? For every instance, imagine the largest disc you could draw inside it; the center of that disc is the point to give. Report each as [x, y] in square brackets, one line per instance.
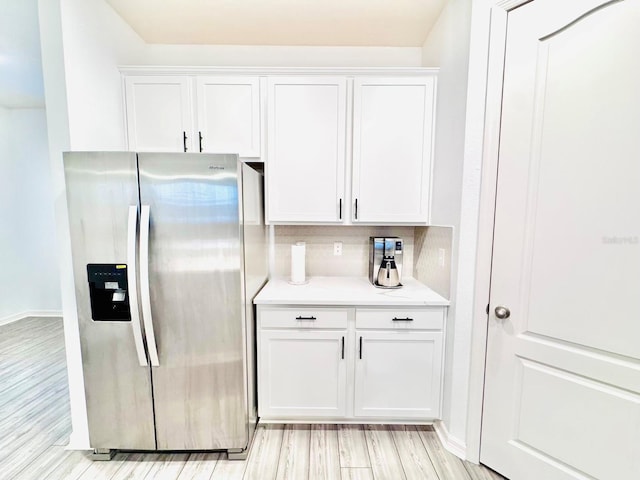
[303, 318]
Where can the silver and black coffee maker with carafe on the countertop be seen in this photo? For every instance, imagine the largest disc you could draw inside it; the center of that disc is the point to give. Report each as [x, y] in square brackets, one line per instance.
[385, 261]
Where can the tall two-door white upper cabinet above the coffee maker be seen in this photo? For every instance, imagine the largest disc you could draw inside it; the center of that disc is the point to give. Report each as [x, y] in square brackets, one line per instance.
[392, 127]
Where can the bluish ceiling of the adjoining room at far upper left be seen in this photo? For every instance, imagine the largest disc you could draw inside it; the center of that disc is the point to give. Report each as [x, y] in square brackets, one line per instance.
[21, 84]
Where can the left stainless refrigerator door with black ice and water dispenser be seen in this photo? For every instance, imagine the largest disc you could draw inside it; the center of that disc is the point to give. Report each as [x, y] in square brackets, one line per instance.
[101, 188]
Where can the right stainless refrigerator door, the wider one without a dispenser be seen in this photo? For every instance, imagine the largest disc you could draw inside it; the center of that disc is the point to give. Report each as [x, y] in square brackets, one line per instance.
[196, 294]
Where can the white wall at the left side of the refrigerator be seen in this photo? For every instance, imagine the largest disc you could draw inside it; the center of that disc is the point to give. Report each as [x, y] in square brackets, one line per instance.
[82, 43]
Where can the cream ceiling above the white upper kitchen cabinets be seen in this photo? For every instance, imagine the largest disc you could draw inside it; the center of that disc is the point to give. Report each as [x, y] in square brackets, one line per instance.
[388, 23]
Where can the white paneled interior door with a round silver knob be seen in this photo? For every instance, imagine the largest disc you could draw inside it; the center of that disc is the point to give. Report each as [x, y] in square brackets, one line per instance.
[562, 391]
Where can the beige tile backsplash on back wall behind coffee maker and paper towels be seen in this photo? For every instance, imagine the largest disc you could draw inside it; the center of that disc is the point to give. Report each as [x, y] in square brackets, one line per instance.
[320, 260]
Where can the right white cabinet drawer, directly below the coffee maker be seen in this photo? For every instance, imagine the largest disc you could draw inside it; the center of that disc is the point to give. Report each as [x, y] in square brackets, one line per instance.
[415, 319]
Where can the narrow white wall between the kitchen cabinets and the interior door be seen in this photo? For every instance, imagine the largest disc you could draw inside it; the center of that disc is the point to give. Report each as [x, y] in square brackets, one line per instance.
[448, 48]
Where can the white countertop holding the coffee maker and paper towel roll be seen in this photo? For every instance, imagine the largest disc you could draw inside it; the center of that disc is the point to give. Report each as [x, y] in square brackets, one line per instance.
[346, 291]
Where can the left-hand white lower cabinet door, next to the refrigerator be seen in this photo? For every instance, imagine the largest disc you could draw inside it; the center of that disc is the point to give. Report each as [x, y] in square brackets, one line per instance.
[302, 374]
